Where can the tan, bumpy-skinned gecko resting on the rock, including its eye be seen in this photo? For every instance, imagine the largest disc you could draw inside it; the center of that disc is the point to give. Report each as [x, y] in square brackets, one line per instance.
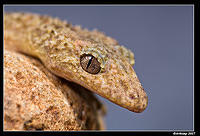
[60, 46]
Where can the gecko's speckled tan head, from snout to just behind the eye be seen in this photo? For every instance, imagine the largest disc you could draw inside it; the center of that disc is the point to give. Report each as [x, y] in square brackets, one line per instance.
[107, 70]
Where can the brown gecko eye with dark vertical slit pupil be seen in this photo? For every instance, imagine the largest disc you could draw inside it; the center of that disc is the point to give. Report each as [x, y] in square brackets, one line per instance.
[90, 64]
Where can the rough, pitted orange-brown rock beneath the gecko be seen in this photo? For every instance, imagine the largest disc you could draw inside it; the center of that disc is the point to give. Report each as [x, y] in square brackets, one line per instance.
[35, 99]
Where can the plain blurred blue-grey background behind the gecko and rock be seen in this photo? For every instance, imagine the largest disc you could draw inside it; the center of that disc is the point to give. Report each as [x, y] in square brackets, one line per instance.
[161, 38]
